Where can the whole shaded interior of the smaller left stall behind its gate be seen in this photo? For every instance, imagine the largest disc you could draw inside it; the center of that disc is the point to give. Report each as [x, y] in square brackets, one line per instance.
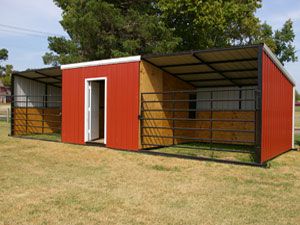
[36, 103]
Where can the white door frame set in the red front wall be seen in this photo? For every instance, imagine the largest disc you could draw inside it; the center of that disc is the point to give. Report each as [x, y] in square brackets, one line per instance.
[86, 118]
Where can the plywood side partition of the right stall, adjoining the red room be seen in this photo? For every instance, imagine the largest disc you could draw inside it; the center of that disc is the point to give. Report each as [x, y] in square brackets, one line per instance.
[152, 79]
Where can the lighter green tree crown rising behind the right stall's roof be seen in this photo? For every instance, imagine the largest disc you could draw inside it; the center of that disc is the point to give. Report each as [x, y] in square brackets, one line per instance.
[210, 23]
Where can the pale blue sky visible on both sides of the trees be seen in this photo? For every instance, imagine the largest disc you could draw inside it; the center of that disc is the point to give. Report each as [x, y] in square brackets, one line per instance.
[26, 49]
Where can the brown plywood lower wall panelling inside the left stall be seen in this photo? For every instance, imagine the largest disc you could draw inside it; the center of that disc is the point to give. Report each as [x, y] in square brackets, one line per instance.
[36, 120]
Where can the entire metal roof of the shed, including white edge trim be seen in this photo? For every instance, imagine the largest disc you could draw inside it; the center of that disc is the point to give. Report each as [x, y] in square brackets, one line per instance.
[234, 66]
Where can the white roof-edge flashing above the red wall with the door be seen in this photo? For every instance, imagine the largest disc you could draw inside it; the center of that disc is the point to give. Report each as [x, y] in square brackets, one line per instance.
[102, 62]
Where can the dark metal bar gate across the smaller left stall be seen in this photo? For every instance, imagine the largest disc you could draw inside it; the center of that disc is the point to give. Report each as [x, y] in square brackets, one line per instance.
[36, 116]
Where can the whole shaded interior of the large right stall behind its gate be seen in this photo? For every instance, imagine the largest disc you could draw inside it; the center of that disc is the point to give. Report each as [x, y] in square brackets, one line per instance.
[199, 99]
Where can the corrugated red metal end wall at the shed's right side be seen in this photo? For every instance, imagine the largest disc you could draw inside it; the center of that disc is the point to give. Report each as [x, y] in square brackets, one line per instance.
[277, 111]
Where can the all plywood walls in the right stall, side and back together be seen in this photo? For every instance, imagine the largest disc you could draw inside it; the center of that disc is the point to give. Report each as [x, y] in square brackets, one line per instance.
[152, 79]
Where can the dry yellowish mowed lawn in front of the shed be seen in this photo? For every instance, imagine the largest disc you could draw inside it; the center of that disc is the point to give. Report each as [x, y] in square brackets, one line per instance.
[54, 183]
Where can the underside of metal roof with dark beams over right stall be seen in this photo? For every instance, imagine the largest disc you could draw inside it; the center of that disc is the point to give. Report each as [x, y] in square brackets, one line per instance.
[235, 66]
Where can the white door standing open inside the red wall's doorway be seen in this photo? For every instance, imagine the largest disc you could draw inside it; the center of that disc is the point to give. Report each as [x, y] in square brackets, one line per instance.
[93, 110]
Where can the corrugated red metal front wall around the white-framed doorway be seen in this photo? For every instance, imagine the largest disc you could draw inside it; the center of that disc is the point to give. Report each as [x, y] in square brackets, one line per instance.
[122, 104]
